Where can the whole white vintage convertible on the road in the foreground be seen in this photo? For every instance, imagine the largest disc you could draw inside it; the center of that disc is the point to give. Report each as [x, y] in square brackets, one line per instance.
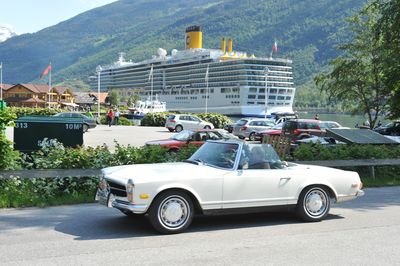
[222, 177]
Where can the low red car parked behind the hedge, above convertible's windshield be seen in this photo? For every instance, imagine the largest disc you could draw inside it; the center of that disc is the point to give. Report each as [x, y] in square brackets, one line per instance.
[186, 137]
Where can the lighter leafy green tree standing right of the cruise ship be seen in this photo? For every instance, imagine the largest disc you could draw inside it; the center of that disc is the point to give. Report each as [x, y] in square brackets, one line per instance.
[356, 78]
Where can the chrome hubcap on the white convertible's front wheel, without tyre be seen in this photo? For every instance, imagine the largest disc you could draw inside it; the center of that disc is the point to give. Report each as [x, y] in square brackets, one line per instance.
[173, 212]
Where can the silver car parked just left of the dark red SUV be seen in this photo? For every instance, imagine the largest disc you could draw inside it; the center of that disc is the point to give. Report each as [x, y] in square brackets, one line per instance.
[248, 127]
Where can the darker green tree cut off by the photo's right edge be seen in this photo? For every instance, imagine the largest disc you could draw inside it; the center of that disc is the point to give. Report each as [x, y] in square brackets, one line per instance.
[388, 29]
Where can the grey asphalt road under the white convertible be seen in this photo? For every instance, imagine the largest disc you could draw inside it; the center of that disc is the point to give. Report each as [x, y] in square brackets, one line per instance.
[365, 231]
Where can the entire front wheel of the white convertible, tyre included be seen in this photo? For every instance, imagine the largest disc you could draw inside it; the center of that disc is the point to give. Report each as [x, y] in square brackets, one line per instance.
[171, 212]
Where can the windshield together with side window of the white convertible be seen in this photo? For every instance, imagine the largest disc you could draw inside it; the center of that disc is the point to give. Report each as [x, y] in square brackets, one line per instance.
[225, 154]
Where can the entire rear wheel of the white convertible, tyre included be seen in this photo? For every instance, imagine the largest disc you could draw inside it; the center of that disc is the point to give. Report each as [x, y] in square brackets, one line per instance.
[313, 204]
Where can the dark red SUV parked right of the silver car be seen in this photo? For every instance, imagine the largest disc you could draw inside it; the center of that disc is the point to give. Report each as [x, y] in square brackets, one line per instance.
[302, 128]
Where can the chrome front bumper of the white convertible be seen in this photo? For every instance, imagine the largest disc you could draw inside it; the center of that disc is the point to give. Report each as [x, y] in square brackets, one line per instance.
[104, 197]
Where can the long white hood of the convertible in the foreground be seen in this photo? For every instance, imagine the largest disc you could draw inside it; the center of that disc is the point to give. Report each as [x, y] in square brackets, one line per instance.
[145, 173]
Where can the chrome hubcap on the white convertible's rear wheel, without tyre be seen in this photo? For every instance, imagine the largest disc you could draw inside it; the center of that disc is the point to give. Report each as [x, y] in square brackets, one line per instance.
[316, 202]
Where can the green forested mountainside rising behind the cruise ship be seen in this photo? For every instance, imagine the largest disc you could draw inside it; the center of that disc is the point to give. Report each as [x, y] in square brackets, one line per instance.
[306, 32]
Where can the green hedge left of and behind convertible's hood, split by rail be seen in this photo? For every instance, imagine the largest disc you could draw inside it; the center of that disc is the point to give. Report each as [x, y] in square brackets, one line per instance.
[16, 192]
